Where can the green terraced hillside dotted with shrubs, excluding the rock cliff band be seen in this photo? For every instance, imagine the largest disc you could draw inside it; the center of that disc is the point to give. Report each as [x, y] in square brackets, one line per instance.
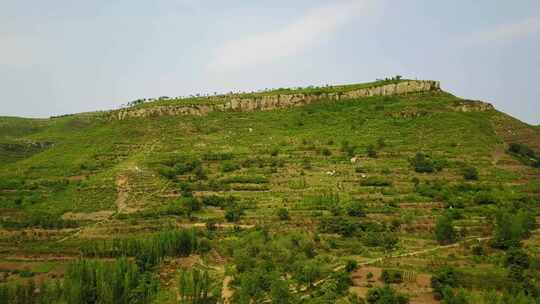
[322, 203]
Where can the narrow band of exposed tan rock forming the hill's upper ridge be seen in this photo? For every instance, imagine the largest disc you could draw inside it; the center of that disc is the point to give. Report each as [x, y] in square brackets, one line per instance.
[274, 99]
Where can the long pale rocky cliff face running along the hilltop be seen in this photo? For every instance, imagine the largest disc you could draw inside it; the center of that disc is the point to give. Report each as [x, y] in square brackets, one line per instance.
[271, 102]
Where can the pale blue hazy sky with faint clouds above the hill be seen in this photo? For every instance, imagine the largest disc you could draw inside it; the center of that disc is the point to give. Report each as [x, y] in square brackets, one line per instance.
[63, 56]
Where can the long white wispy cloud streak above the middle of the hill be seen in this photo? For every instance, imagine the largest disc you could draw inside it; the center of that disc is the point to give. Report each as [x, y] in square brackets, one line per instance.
[310, 29]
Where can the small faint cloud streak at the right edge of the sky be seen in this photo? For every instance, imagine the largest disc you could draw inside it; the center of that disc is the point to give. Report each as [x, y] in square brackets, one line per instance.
[505, 32]
